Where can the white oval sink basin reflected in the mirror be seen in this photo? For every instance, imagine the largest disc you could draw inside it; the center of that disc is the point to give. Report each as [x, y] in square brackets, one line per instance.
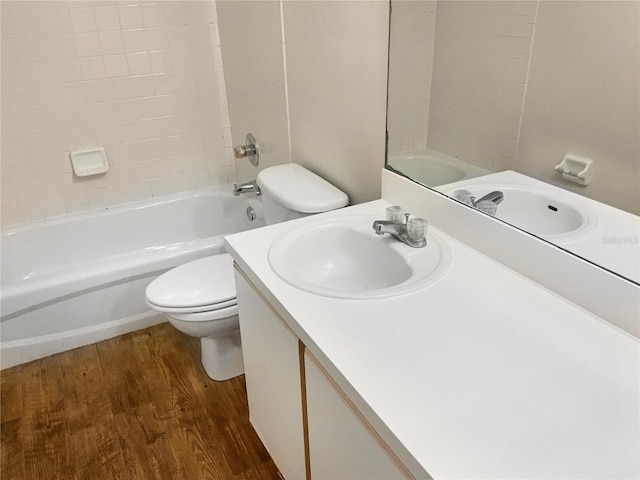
[542, 212]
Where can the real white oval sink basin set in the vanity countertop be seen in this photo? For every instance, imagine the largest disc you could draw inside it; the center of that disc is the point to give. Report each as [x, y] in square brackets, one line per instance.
[343, 257]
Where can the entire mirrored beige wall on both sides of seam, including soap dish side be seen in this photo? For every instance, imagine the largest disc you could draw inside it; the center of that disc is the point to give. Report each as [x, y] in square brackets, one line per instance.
[519, 84]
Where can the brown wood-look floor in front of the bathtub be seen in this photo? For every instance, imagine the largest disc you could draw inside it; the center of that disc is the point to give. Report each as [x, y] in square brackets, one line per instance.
[134, 407]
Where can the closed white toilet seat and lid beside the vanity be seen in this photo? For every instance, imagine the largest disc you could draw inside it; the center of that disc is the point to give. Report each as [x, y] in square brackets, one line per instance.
[203, 286]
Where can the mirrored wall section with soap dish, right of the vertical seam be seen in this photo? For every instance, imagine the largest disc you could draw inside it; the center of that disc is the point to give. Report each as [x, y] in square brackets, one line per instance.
[583, 97]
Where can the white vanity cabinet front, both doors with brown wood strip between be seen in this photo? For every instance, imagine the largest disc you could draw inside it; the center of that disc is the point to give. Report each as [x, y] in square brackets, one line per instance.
[308, 425]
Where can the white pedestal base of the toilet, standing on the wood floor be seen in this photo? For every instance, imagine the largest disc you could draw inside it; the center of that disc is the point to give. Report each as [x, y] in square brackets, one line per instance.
[222, 356]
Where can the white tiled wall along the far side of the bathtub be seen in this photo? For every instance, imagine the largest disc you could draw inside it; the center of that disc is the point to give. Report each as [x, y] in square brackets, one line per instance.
[143, 79]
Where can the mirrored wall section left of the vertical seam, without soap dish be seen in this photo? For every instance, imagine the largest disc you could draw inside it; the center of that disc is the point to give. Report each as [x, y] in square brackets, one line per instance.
[486, 45]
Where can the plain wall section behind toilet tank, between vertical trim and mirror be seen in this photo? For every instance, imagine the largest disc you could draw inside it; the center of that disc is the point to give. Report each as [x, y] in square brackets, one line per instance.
[336, 69]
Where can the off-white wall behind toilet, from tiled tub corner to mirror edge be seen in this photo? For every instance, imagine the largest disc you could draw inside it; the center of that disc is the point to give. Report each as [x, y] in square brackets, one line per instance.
[330, 95]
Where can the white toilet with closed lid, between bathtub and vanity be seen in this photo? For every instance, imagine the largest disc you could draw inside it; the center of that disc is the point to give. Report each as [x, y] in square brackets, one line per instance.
[199, 297]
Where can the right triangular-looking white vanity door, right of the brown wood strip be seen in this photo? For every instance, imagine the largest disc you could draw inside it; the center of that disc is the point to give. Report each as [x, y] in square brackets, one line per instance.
[342, 445]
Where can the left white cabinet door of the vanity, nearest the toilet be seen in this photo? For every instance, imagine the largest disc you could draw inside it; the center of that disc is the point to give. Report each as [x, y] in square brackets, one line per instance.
[272, 371]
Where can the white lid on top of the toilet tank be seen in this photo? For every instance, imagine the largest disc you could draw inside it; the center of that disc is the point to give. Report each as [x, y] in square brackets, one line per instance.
[298, 189]
